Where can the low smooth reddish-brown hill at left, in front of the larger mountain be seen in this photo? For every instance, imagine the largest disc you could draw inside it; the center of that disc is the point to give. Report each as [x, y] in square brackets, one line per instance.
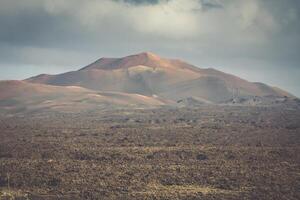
[20, 96]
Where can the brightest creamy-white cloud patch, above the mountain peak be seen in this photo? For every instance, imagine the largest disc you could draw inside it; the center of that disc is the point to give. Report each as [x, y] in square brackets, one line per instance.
[176, 18]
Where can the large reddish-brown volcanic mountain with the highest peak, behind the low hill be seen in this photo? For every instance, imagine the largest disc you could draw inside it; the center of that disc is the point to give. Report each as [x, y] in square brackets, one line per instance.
[150, 75]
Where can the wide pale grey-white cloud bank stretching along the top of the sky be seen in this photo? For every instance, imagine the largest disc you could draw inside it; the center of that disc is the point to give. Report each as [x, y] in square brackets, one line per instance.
[177, 19]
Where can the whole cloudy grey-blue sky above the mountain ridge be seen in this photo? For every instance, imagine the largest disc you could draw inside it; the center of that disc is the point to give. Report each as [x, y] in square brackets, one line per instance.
[258, 40]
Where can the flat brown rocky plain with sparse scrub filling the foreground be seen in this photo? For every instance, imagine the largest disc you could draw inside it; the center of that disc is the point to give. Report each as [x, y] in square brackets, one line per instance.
[209, 152]
